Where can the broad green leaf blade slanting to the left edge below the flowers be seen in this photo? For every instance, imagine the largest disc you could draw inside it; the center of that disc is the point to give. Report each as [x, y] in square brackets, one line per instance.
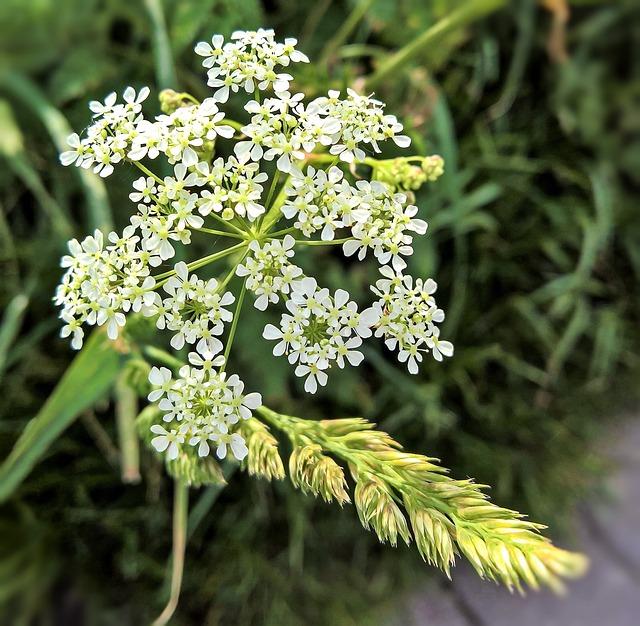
[88, 378]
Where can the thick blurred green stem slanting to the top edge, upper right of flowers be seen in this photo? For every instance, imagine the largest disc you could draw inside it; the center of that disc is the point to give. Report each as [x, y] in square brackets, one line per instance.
[463, 15]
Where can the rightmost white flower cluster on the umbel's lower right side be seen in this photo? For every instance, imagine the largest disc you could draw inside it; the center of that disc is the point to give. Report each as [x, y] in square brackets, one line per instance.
[409, 318]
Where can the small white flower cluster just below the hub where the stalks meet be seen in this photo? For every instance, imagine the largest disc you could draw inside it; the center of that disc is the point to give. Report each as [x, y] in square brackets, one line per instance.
[269, 271]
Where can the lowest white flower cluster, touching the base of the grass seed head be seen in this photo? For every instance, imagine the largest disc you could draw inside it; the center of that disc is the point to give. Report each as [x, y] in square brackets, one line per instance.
[200, 407]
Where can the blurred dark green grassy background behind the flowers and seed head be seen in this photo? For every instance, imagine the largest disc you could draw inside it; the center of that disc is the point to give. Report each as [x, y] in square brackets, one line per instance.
[534, 239]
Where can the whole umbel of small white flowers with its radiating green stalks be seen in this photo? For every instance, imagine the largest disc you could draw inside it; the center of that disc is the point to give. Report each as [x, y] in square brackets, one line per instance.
[245, 196]
